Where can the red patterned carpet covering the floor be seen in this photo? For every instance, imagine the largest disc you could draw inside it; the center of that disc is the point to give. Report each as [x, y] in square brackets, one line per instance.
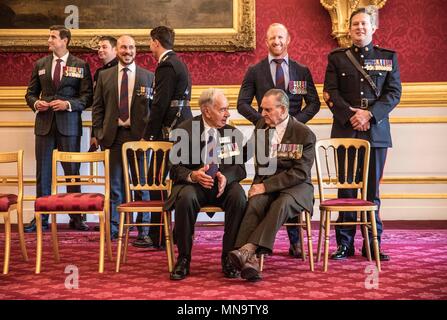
[417, 270]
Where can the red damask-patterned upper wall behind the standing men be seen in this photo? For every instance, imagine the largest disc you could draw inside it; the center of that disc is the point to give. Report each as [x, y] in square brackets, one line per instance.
[416, 29]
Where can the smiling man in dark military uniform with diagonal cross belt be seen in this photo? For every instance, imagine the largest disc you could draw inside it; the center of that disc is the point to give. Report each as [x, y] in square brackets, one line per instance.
[361, 94]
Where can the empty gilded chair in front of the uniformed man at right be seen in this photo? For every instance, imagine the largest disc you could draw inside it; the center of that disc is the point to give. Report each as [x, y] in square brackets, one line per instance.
[343, 164]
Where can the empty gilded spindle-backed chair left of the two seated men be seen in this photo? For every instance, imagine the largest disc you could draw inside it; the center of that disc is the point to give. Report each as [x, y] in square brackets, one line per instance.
[145, 165]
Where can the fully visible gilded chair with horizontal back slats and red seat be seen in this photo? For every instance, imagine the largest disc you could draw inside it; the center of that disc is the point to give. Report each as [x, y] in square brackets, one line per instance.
[76, 203]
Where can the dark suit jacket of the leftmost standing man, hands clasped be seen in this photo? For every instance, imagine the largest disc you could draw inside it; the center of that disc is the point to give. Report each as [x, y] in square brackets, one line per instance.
[76, 90]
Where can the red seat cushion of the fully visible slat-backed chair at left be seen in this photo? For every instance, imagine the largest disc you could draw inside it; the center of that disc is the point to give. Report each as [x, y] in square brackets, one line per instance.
[70, 202]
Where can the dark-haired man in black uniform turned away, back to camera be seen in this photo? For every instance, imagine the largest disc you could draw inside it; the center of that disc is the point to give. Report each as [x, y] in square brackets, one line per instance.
[171, 96]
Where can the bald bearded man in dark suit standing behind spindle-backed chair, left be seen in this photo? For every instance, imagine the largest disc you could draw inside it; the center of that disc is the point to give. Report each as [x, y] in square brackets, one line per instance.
[120, 108]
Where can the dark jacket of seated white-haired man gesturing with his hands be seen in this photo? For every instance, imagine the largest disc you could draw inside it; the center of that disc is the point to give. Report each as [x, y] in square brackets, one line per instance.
[180, 172]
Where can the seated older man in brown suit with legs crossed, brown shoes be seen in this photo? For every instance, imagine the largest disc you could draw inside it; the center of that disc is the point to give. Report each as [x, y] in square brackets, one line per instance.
[278, 192]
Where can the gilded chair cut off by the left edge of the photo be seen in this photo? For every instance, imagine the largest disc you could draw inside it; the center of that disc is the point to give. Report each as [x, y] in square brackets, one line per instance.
[12, 201]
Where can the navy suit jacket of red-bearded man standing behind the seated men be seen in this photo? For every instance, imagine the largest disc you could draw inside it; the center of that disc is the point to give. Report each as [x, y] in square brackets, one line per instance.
[258, 80]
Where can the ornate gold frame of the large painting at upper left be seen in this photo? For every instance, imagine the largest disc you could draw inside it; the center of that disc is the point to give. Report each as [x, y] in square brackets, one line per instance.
[240, 37]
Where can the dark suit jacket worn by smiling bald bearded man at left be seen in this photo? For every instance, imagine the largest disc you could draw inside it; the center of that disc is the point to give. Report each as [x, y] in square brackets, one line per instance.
[105, 108]
